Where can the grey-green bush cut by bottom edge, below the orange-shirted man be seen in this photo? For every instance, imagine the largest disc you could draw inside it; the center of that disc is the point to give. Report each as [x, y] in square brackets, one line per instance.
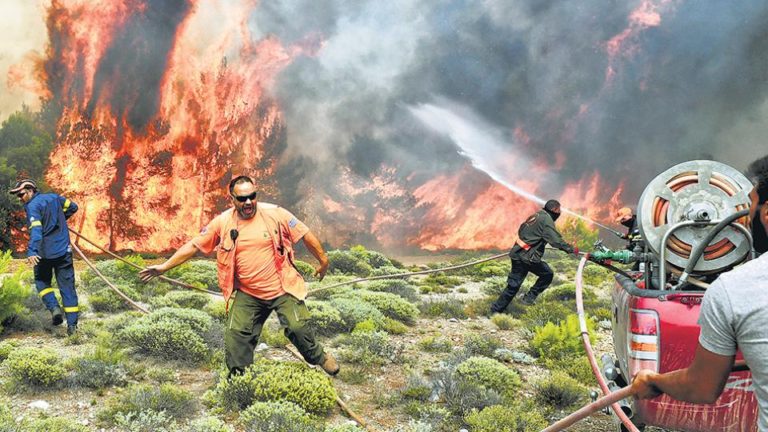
[278, 417]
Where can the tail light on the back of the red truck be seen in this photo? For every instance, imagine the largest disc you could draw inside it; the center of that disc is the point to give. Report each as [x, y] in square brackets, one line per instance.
[643, 340]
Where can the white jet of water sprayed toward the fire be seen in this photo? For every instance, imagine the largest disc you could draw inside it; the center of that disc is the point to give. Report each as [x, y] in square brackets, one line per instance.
[482, 145]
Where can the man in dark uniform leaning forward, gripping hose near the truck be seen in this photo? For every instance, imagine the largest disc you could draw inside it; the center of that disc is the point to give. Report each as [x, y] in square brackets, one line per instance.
[533, 236]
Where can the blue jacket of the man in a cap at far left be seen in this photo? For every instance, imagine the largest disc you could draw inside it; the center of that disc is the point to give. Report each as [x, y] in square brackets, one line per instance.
[47, 215]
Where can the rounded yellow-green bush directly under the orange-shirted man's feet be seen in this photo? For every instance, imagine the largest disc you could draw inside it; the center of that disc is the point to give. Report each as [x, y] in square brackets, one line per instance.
[268, 380]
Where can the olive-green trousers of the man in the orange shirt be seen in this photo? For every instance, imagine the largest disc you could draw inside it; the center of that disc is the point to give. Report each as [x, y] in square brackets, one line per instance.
[247, 315]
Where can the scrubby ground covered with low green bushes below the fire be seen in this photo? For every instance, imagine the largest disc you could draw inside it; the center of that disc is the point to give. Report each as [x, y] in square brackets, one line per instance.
[418, 354]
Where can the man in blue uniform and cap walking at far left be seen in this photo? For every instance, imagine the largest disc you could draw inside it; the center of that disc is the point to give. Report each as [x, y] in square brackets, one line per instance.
[49, 250]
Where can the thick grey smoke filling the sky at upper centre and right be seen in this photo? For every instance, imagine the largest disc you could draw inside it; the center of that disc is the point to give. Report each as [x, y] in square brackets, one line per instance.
[693, 86]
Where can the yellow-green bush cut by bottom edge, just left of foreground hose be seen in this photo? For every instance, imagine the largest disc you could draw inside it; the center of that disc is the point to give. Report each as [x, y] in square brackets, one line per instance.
[505, 419]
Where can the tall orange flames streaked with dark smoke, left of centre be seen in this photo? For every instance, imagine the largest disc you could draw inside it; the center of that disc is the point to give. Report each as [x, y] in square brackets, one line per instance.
[159, 108]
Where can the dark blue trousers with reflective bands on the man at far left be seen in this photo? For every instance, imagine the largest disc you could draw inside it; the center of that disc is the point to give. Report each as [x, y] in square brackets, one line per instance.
[65, 278]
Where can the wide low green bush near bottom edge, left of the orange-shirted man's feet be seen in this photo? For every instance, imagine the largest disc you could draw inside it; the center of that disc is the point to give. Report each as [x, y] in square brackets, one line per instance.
[168, 398]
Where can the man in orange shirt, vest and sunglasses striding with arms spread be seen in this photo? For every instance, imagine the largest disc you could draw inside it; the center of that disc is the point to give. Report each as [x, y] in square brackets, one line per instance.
[254, 254]
